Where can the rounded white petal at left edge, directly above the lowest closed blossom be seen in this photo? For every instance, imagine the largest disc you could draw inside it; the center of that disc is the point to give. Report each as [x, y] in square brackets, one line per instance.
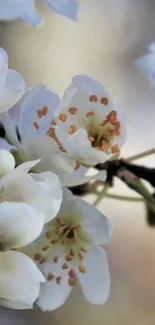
[20, 224]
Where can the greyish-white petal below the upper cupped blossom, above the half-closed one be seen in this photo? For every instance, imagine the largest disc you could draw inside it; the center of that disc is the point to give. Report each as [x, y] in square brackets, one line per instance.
[52, 159]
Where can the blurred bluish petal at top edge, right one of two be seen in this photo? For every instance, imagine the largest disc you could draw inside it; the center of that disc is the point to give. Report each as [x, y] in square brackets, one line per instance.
[68, 8]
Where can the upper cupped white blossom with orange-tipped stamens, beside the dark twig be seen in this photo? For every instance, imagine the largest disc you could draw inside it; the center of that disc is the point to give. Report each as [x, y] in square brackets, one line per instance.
[89, 125]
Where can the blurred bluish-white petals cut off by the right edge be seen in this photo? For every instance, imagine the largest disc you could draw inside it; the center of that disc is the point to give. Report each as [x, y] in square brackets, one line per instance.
[146, 64]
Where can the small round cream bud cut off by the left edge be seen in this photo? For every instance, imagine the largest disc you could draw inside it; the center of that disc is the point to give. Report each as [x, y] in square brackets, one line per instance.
[7, 162]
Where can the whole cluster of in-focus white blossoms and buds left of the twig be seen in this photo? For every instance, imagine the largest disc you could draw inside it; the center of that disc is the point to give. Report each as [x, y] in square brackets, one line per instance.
[50, 239]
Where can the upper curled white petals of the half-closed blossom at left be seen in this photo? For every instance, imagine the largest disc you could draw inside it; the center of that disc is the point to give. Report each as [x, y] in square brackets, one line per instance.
[41, 192]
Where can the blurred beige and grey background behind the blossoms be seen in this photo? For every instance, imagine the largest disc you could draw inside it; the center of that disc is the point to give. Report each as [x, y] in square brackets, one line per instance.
[109, 35]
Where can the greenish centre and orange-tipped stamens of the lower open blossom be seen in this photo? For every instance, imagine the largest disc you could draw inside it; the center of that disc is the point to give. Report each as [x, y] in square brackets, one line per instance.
[73, 242]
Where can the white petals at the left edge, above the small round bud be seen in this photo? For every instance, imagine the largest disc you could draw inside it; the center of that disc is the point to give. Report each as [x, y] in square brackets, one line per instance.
[12, 85]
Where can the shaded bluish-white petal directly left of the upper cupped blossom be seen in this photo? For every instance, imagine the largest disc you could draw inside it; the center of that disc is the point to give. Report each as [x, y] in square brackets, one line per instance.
[33, 101]
